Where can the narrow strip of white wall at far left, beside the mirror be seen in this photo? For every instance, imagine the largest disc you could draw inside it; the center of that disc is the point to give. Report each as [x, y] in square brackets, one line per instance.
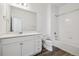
[2, 19]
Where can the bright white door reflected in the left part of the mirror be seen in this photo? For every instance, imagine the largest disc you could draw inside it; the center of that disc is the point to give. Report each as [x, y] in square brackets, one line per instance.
[16, 24]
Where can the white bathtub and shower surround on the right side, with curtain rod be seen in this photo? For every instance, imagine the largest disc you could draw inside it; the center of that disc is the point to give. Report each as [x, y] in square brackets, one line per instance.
[65, 24]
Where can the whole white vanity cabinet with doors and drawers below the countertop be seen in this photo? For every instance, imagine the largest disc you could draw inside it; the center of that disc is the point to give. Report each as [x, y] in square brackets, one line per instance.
[21, 46]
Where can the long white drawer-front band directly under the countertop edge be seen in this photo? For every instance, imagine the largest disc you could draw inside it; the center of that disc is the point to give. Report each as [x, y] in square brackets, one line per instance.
[18, 39]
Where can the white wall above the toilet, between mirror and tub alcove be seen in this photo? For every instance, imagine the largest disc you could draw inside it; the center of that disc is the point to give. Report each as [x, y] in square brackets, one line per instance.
[42, 17]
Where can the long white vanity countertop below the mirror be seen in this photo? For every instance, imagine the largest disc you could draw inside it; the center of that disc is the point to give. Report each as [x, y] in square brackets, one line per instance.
[11, 35]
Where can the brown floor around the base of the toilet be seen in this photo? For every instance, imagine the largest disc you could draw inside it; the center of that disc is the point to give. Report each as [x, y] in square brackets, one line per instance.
[56, 52]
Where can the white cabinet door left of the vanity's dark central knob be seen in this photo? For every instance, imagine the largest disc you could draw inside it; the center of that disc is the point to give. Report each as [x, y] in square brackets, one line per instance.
[13, 49]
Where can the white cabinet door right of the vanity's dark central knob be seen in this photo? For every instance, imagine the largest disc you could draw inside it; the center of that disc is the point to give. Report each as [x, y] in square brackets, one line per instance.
[28, 47]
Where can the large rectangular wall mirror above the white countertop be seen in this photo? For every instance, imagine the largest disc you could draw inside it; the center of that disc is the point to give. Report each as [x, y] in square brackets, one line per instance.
[23, 20]
